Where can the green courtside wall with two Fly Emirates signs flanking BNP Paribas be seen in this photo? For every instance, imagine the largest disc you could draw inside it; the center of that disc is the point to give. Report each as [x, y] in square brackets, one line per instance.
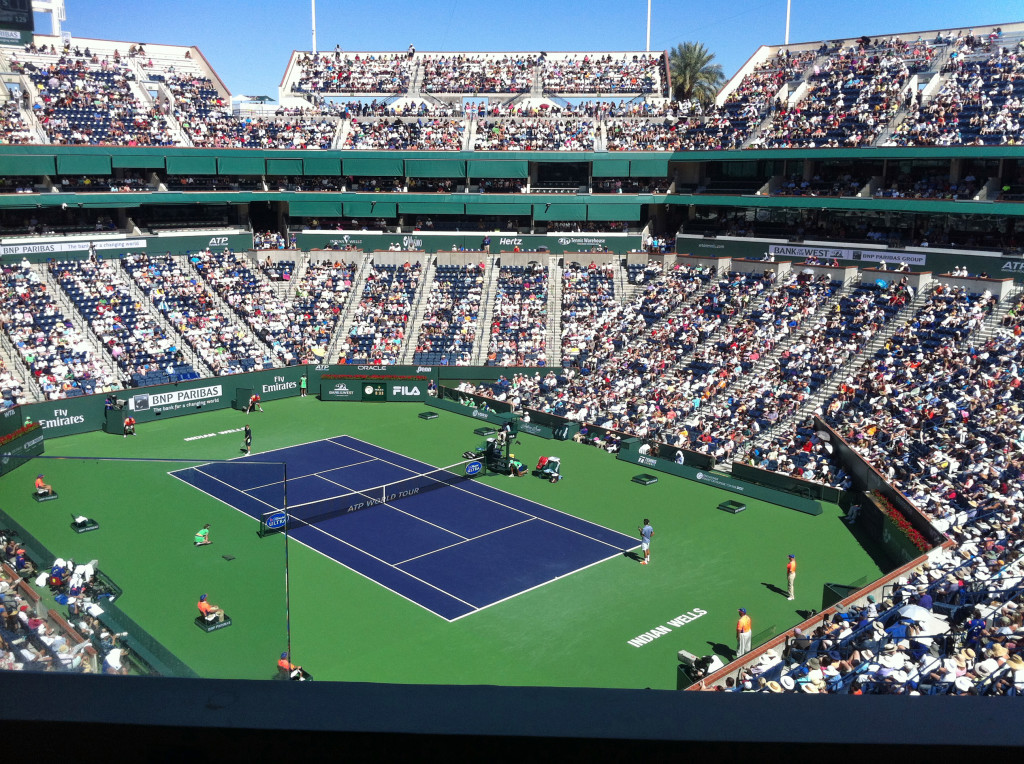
[150, 404]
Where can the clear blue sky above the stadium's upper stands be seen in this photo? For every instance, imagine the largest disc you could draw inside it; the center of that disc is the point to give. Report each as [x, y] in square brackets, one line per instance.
[248, 41]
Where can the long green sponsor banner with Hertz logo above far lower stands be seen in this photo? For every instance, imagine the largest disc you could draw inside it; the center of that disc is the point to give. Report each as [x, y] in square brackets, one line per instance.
[369, 241]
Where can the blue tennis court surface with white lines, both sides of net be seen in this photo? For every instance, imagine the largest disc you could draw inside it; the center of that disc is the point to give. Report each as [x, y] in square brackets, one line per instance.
[454, 551]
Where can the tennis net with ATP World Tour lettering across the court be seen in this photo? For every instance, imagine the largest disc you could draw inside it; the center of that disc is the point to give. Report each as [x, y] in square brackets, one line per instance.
[390, 493]
